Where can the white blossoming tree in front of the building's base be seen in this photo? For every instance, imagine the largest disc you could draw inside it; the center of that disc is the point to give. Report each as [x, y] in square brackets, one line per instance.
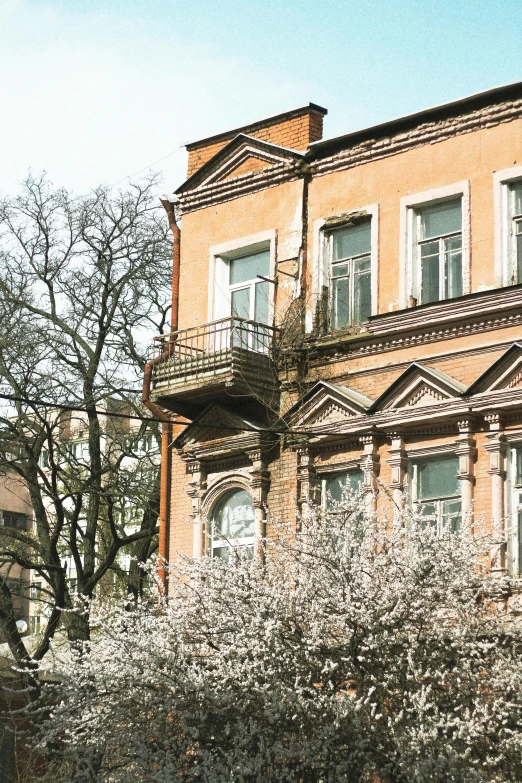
[362, 649]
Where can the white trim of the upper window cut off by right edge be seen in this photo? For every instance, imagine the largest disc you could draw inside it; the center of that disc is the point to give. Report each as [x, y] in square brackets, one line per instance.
[502, 181]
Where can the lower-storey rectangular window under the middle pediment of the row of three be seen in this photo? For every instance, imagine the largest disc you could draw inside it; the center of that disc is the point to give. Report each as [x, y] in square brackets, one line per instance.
[436, 491]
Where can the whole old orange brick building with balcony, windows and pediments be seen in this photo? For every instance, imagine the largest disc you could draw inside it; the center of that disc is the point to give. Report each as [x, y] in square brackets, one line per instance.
[350, 312]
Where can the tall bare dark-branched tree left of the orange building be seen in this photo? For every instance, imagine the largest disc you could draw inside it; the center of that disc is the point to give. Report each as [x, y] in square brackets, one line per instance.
[84, 282]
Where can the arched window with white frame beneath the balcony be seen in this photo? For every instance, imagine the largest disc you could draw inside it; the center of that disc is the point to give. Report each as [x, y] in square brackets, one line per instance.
[232, 523]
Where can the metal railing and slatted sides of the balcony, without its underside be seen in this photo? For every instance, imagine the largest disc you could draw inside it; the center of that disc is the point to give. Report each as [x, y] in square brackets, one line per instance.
[231, 350]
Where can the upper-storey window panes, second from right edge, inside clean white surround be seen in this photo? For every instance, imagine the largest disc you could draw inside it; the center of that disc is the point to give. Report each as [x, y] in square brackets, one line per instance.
[439, 251]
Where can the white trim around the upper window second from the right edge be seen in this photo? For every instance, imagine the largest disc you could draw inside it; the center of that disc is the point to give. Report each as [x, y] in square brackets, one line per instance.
[408, 206]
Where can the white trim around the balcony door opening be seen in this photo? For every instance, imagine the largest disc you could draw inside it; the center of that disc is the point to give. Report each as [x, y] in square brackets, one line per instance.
[217, 270]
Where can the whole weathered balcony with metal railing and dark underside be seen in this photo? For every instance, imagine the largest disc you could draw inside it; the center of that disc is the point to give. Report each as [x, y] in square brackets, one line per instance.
[215, 362]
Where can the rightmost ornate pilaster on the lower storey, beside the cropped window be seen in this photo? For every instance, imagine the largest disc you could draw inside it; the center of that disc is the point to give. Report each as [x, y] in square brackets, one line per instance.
[497, 470]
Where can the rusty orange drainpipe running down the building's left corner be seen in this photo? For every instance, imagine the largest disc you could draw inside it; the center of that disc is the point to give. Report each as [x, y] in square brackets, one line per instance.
[166, 434]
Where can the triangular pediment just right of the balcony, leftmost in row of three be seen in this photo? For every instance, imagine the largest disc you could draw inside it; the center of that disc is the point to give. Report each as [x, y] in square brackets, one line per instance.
[326, 405]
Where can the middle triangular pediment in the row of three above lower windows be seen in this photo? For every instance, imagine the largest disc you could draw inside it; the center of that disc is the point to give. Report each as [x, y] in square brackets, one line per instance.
[418, 387]
